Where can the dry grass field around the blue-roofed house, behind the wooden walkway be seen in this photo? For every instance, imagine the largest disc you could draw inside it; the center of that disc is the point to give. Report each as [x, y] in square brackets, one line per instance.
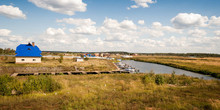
[7, 65]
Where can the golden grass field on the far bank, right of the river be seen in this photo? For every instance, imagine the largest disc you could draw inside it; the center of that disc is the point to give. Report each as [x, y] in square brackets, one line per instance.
[208, 65]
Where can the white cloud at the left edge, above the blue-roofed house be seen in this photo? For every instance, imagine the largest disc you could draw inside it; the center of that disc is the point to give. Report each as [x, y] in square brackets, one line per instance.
[12, 12]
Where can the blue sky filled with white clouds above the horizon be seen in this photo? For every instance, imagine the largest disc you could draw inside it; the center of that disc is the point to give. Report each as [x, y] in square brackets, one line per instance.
[143, 26]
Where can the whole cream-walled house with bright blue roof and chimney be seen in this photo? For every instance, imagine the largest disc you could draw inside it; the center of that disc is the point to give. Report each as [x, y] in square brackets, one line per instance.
[28, 53]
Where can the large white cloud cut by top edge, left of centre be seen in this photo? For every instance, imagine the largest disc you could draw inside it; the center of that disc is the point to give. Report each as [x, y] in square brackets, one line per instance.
[68, 7]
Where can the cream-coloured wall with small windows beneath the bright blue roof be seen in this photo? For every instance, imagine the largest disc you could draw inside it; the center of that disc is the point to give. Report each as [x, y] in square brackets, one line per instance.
[28, 59]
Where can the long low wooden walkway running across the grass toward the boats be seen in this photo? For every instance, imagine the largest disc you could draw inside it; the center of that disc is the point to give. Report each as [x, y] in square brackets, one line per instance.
[69, 73]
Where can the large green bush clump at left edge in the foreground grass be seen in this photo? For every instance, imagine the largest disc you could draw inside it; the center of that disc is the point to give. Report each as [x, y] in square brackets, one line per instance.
[11, 86]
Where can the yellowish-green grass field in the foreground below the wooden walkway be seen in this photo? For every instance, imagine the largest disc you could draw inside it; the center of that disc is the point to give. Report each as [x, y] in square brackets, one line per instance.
[120, 92]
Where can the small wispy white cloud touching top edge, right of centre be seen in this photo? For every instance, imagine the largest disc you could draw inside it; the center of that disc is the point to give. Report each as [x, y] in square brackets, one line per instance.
[142, 3]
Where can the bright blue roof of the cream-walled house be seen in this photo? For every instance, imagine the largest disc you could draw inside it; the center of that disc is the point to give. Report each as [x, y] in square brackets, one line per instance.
[27, 50]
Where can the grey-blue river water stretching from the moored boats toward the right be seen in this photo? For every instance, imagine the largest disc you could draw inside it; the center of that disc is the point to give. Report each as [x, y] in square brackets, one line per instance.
[145, 67]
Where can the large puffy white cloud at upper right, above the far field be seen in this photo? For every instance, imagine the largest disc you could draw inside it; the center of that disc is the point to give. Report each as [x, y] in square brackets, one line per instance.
[186, 20]
